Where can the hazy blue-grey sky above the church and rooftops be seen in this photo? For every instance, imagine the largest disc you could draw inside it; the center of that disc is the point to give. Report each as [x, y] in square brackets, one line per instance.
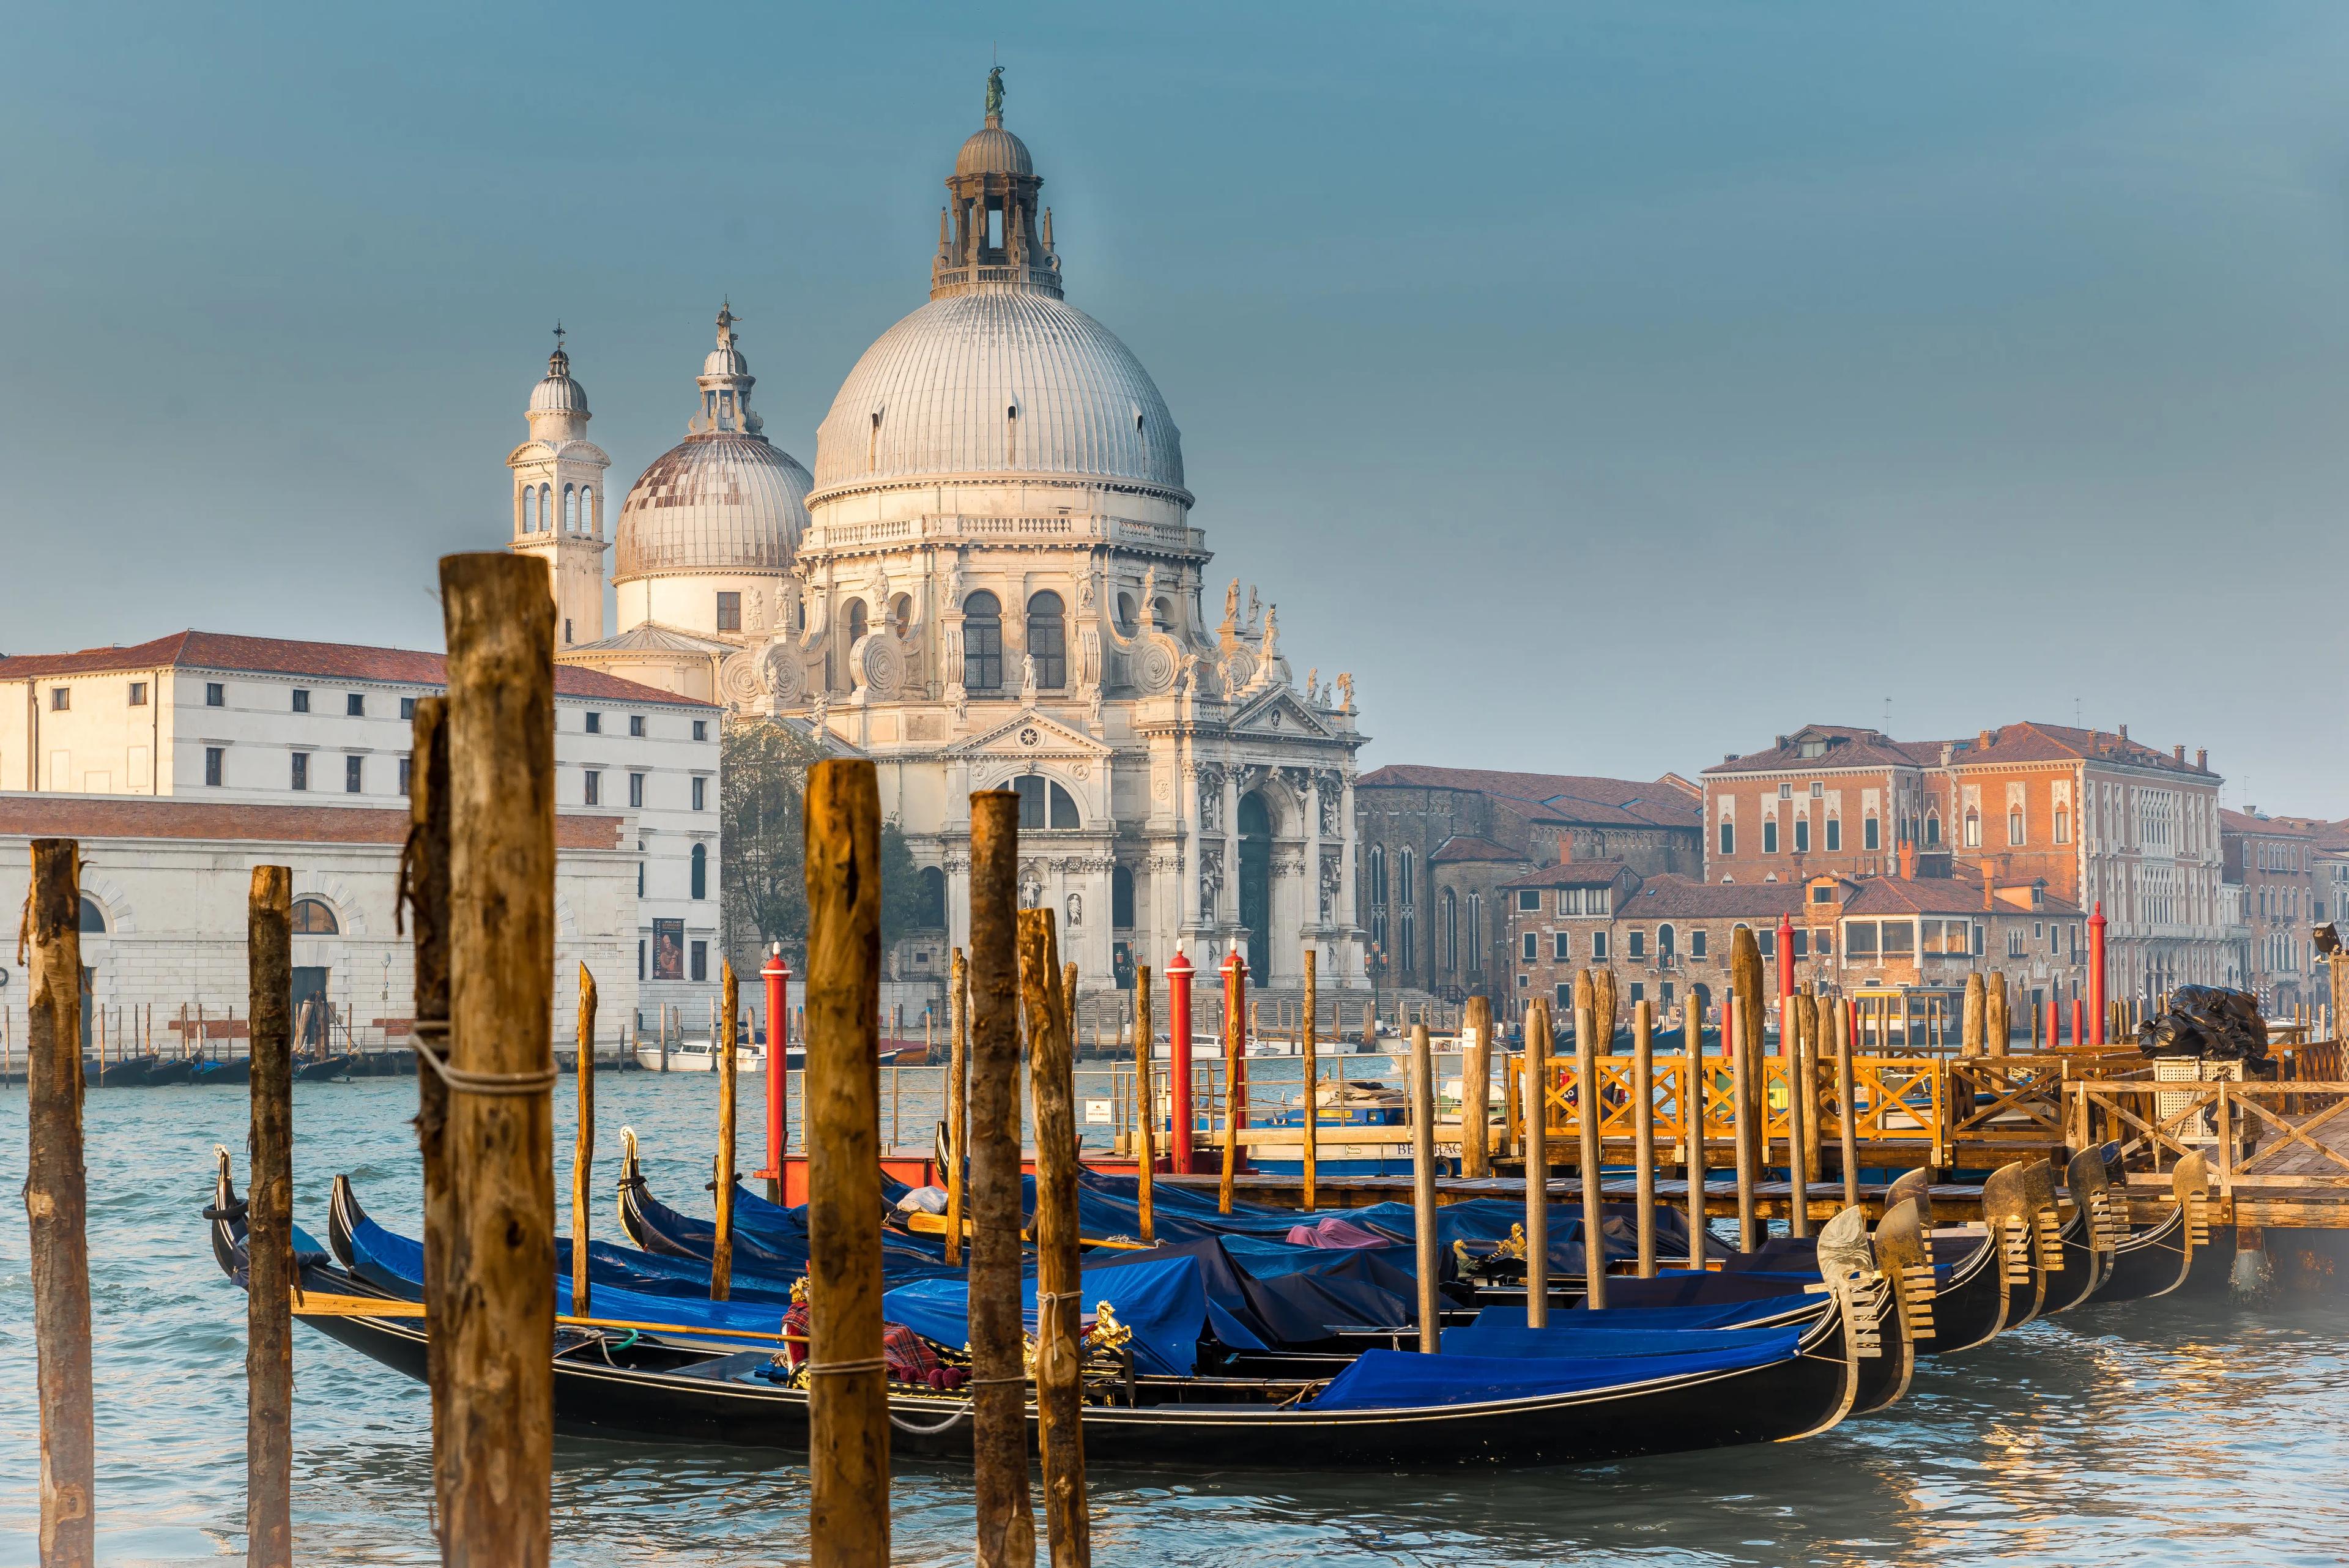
[1606, 387]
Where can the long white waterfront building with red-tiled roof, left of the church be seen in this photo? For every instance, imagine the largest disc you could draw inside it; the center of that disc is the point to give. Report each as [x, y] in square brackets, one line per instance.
[187, 760]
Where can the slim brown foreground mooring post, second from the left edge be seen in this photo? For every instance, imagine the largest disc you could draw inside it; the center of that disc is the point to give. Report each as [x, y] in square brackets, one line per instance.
[269, 1226]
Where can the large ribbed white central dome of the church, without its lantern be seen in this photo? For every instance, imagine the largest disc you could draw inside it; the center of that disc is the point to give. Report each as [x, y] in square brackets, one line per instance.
[999, 382]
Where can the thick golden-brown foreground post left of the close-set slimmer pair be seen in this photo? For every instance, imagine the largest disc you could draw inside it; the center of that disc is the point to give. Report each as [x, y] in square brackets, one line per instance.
[842, 1106]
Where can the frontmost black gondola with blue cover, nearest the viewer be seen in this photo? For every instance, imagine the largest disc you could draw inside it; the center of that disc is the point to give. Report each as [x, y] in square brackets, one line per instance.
[1385, 1409]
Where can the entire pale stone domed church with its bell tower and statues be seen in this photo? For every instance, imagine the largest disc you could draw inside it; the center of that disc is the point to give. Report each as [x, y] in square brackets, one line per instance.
[988, 582]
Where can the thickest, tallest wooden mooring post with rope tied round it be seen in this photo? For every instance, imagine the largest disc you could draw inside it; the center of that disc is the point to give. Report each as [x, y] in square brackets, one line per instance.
[502, 1061]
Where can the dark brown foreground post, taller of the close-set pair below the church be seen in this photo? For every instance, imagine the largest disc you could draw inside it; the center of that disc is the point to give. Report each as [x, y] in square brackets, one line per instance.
[997, 1320]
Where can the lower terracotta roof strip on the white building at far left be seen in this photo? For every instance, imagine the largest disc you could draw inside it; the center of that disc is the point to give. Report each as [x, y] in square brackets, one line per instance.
[97, 817]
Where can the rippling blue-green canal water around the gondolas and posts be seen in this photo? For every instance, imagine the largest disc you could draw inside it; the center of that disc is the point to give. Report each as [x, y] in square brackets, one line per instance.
[2143, 1433]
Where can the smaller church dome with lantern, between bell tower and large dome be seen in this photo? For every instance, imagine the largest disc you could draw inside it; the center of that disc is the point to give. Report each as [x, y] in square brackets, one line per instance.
[722, 500]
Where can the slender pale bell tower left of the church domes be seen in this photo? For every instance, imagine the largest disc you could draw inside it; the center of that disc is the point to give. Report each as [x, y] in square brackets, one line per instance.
[560, 502]
